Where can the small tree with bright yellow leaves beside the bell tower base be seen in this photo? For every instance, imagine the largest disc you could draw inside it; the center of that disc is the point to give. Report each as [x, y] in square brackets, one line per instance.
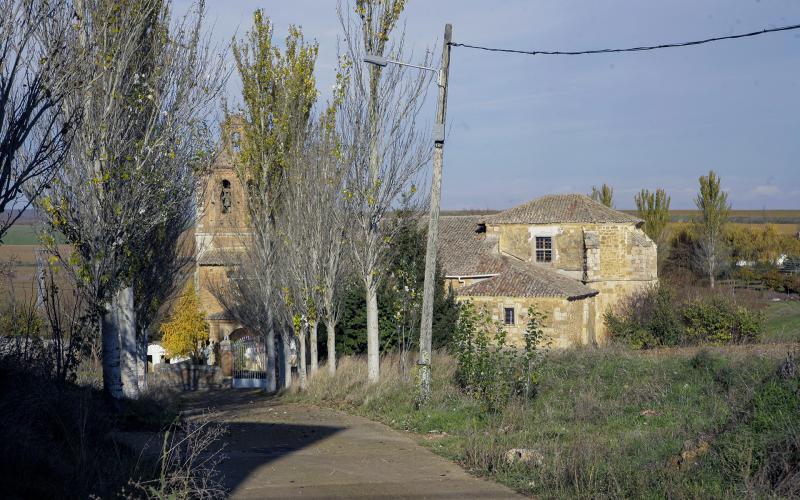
[186, 332]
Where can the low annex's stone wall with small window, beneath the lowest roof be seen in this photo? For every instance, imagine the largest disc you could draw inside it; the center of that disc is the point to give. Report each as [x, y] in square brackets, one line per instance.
[568, 323]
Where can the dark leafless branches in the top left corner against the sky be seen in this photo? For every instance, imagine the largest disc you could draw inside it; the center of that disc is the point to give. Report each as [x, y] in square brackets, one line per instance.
[35, 130]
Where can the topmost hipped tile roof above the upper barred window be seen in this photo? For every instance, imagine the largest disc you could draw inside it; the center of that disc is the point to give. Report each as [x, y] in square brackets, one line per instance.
[560, 208]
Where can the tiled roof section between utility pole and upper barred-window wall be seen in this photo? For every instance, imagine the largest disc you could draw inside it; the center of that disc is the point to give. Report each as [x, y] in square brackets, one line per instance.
[462, 250]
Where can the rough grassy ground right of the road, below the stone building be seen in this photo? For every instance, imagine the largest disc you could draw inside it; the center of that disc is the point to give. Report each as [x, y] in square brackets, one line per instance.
[606, 422]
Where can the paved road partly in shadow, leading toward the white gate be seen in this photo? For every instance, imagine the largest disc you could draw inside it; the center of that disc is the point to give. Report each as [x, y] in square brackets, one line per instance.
[279, 450]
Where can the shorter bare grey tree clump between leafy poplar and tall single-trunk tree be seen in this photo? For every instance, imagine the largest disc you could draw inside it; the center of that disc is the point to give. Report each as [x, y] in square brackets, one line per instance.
[311, 231]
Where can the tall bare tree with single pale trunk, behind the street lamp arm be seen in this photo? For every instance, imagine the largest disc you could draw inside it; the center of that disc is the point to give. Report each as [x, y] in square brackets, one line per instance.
[382, 143]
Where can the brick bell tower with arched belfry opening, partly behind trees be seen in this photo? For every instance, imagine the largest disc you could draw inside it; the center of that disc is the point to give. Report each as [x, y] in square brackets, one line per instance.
[221, 230]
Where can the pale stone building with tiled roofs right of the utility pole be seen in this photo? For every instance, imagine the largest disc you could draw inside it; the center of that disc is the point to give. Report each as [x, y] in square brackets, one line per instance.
[568, 255]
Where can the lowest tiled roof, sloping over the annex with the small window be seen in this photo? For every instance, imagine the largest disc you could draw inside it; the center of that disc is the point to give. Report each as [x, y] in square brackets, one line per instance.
[519, 279]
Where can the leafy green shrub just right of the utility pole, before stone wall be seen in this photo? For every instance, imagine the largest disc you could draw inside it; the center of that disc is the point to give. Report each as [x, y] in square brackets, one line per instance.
[489, 369]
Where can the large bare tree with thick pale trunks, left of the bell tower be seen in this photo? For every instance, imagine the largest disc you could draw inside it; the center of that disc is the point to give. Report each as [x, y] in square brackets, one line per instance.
[152, 85]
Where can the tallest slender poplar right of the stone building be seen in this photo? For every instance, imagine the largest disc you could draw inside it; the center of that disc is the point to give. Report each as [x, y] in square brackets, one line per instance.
[714, 208]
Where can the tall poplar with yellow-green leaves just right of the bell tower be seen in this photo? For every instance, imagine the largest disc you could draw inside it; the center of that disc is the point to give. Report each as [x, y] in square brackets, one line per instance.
[279, 92]
